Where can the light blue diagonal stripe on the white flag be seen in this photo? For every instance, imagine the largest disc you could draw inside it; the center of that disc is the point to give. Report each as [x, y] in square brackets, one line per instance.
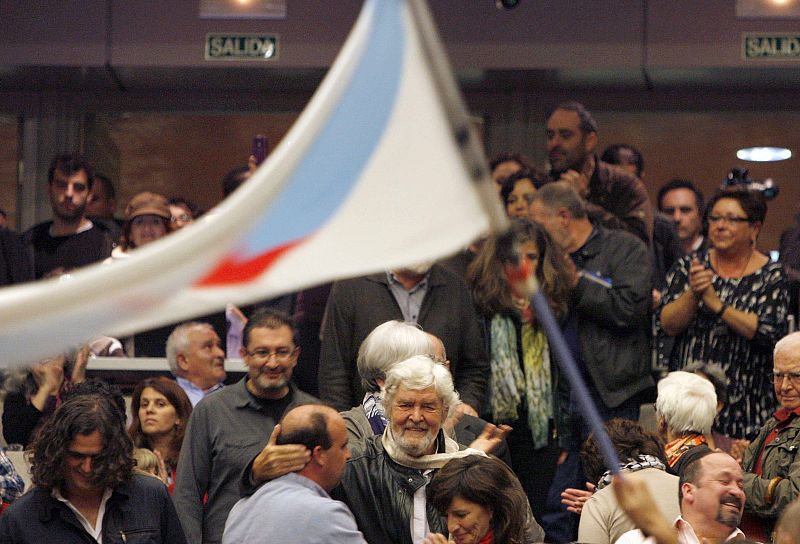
[334, 162]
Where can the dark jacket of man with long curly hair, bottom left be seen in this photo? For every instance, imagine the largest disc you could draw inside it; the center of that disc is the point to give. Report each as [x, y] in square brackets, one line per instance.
[138, 511]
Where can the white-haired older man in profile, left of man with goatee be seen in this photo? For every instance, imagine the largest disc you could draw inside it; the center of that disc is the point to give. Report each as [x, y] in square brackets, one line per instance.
[196, 359]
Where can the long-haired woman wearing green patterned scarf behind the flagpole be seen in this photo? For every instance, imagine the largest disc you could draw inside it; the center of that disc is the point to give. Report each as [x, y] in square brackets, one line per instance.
[521, 392]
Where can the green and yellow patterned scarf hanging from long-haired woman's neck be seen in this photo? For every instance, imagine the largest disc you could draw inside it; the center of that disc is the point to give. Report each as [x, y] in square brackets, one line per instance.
[509, 383]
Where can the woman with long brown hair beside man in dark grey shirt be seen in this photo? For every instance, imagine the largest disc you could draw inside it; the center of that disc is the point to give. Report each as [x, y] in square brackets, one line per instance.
[161, 412]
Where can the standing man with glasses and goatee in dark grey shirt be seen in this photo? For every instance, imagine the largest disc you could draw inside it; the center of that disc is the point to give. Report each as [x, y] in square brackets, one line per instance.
[230, 428]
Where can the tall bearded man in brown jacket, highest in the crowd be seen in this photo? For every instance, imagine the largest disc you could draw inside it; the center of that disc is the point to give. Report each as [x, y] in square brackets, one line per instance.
[615, 198]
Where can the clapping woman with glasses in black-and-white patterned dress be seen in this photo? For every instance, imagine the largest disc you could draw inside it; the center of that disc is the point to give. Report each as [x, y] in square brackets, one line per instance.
[728, 305]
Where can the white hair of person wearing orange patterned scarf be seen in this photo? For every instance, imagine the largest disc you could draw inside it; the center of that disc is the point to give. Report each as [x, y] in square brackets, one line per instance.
[687, 402]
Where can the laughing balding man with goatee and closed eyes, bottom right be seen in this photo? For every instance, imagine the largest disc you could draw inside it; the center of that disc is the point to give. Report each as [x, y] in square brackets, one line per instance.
[712, 502]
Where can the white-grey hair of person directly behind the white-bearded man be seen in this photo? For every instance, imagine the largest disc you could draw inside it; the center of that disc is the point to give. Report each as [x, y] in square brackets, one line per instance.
[387, 344]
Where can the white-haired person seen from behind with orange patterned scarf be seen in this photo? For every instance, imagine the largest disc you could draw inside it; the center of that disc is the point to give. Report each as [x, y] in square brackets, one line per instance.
[685, 409]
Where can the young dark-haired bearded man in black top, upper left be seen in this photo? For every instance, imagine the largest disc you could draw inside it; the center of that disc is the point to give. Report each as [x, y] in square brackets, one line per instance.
[70, 240]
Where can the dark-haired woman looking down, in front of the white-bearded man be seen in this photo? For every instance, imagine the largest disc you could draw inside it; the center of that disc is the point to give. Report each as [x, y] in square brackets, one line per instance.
[483, 501]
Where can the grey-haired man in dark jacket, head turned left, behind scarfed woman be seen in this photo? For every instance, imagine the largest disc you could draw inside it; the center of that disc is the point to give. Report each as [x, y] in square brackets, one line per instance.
[610, 300]
